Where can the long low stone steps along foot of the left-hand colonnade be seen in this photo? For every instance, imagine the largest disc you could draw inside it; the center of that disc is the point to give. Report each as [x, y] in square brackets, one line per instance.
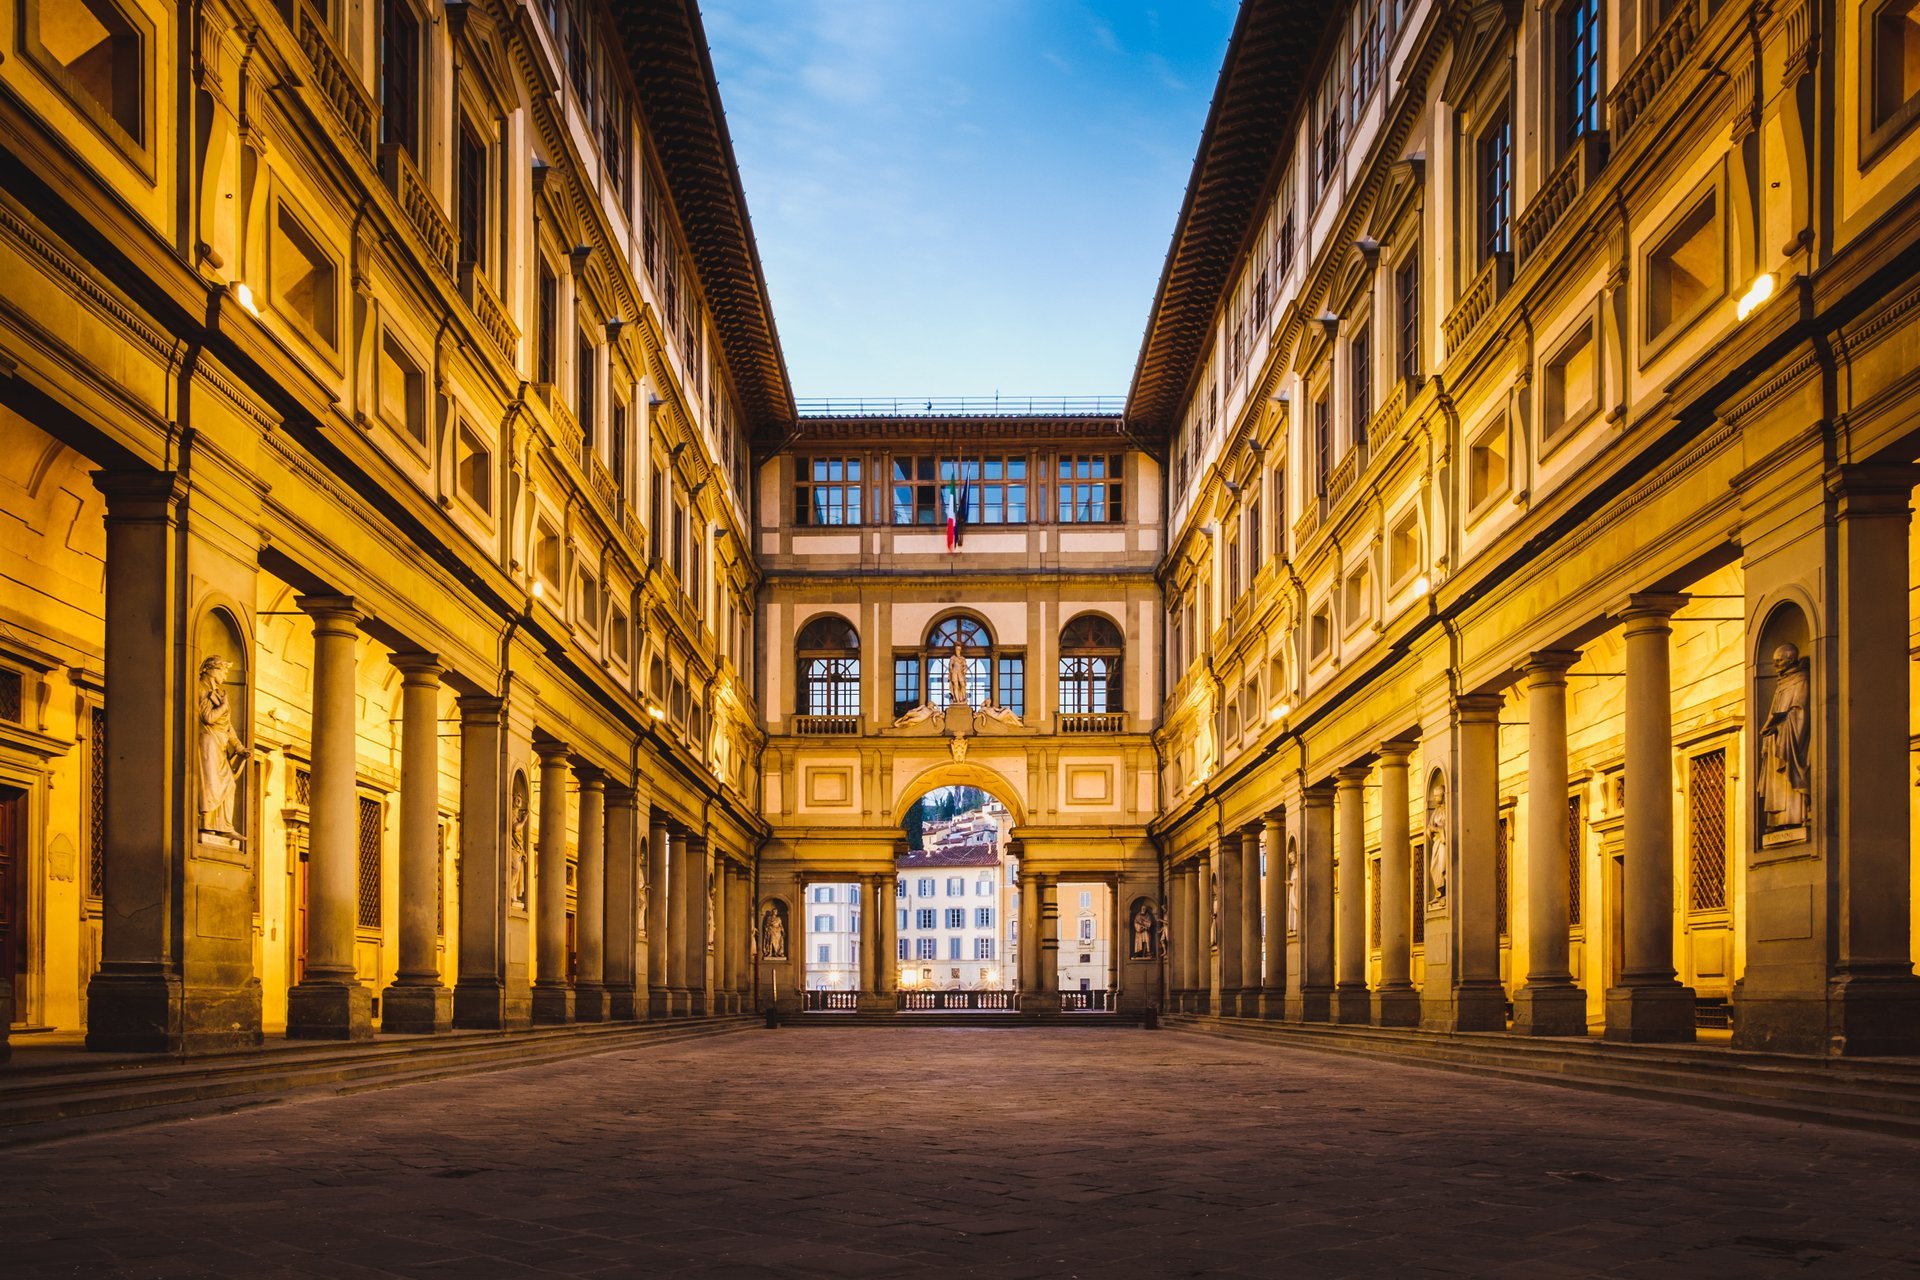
[36, 1097]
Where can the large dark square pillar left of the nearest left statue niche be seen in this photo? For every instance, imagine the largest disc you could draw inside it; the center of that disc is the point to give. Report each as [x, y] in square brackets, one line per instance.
[135, 999]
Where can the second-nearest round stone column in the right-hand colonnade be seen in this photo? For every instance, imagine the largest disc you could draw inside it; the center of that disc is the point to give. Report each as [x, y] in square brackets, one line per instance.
[1548, 1005]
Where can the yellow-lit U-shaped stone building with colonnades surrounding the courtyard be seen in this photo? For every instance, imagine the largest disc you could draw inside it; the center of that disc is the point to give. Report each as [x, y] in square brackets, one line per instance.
[425, 604]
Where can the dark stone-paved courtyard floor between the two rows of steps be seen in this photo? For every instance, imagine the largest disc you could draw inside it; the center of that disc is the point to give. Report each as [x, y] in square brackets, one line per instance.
[1072, 1152]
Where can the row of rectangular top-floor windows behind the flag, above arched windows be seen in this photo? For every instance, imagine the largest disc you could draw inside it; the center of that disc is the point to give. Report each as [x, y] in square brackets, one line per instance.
[923, 490]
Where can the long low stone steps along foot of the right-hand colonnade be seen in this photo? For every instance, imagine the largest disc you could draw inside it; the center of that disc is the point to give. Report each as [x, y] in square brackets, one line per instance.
[1883, 1097]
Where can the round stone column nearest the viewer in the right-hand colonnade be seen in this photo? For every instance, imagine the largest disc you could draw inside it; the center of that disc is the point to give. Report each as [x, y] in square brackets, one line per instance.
[1650, 1005]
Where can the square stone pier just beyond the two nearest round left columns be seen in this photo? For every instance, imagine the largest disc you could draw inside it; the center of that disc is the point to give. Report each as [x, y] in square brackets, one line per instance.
[481, 991]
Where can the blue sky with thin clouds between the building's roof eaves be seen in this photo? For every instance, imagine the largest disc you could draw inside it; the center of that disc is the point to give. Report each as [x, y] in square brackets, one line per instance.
[965, 197]
